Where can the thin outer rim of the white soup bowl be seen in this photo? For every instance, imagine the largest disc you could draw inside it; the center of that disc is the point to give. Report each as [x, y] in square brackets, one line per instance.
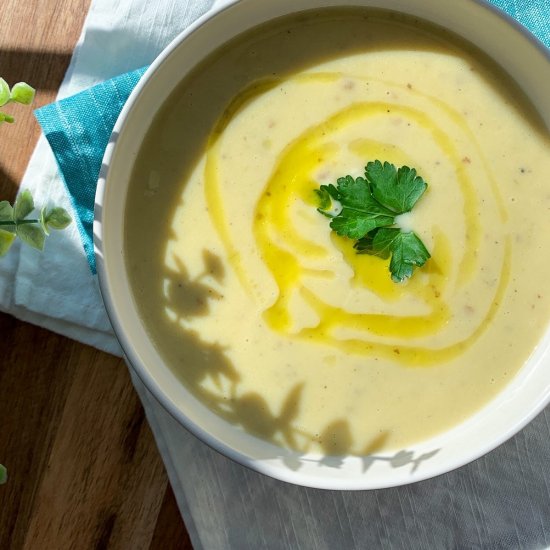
[143, 373]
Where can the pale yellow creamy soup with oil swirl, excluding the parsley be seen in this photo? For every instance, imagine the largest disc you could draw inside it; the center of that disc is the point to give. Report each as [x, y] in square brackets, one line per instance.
[274, 321]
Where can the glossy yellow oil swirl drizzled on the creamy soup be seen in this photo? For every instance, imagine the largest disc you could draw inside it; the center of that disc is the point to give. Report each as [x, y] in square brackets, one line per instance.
[287, 253]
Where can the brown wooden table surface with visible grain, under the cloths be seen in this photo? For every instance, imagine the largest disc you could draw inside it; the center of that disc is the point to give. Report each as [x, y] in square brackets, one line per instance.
[84, 471]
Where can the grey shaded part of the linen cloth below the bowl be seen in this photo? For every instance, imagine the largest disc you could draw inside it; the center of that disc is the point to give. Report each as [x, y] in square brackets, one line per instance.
[500, 501]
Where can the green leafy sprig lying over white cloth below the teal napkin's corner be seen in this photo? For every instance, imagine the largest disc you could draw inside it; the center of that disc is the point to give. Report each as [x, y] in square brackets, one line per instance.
[14, 222]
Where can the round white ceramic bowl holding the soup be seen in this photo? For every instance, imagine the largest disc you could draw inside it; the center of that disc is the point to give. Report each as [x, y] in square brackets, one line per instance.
[507, 43]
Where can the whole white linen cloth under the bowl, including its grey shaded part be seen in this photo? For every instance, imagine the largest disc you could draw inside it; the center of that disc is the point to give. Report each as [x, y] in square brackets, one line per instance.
[499, 501]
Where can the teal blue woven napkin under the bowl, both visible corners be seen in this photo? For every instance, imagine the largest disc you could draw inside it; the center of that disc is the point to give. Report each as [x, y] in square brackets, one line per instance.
[78, 128]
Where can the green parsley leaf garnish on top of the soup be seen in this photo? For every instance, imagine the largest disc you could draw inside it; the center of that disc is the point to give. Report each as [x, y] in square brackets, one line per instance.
[364, 209]
